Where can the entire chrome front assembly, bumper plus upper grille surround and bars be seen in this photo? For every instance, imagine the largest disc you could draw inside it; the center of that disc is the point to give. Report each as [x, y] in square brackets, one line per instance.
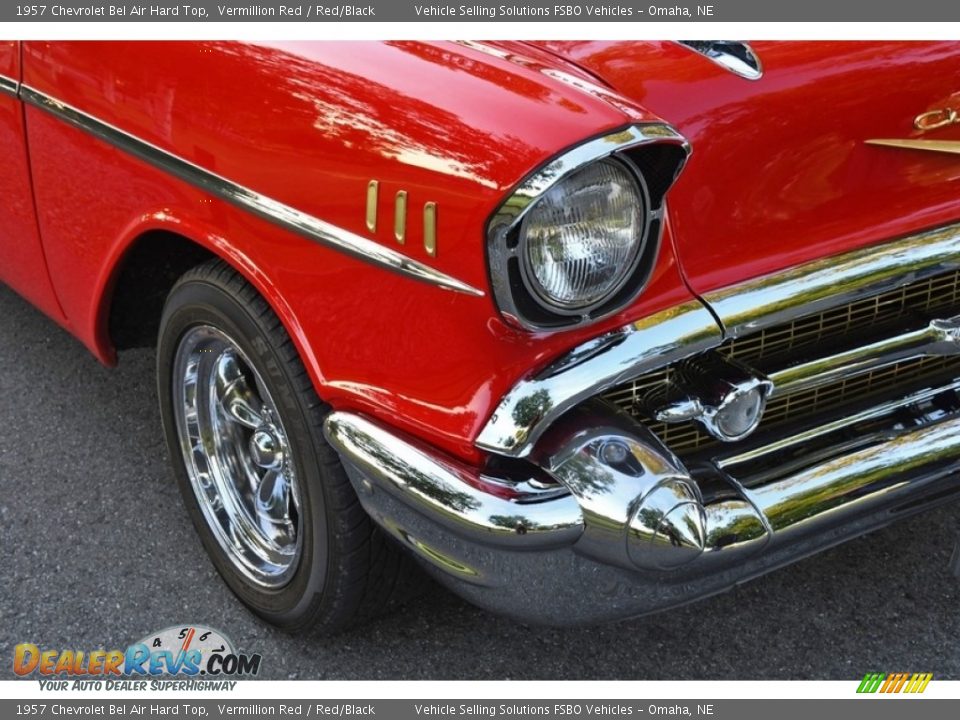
[585, 515]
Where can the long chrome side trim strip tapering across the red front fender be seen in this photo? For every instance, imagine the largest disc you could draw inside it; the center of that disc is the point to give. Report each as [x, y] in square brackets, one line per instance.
[271, 210]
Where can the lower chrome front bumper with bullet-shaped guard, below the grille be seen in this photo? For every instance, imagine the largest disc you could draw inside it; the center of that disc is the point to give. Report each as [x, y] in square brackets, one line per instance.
[629, 531]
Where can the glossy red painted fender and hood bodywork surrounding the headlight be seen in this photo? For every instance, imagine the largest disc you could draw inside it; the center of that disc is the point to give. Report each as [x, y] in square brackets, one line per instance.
[779, 175]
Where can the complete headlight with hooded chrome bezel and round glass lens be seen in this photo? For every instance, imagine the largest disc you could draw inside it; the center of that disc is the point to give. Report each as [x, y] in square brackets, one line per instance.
[577, 240]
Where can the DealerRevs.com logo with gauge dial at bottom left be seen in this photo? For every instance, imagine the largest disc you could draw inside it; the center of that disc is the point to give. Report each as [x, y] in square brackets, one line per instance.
[186, 653]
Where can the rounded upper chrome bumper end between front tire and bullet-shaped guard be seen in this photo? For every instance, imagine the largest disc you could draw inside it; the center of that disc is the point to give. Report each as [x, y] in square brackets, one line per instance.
[448, 492]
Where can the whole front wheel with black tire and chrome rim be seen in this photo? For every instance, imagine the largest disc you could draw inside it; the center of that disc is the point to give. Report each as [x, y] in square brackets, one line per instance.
[266, 493]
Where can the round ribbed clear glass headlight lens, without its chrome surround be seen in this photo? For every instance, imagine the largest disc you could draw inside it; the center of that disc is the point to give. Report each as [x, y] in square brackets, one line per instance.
[582, 239]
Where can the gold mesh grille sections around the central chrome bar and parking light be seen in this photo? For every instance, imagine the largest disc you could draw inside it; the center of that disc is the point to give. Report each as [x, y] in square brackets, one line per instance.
[937, 296]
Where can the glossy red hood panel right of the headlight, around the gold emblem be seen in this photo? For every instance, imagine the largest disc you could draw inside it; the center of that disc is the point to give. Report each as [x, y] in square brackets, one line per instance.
[780, 173]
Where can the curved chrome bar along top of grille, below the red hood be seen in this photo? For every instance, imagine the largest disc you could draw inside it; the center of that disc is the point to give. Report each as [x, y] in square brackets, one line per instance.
[535, 403]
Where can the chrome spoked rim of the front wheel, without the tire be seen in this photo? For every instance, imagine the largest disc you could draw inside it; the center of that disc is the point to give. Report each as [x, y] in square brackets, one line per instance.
[238, 456]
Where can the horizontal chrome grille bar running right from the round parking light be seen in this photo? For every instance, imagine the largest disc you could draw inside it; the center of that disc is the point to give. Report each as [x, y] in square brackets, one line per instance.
[940, 338]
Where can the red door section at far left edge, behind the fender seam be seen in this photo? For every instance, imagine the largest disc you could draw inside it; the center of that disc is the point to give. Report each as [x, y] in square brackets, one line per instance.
[22, 265]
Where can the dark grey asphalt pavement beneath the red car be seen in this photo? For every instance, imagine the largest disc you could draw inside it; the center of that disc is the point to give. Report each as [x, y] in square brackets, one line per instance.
[96, 550]
